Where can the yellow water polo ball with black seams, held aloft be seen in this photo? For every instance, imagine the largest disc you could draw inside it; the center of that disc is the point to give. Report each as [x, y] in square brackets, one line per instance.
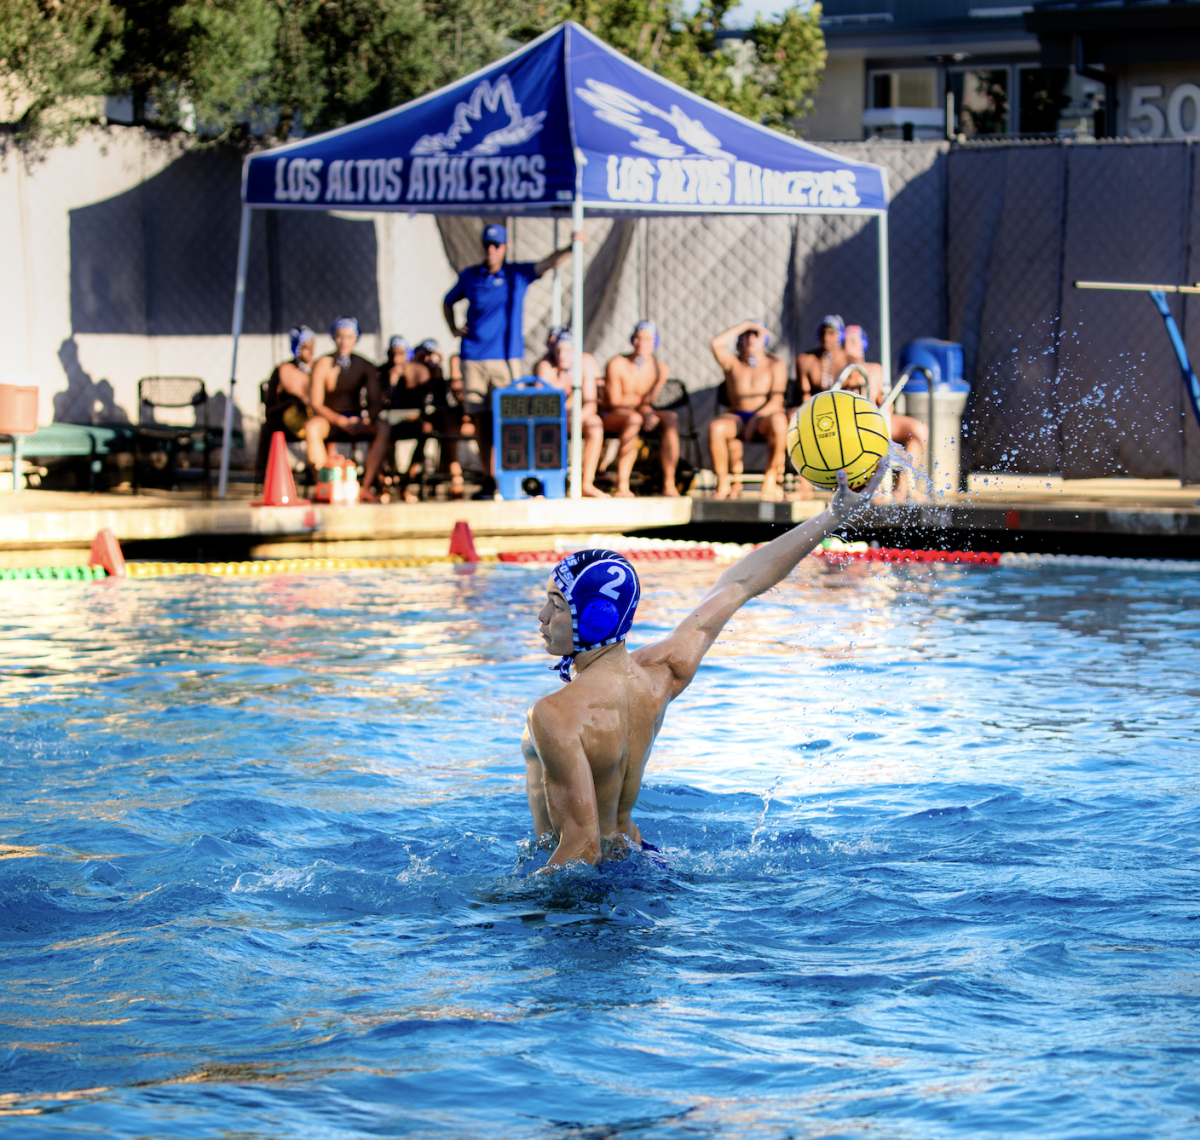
[833, 431]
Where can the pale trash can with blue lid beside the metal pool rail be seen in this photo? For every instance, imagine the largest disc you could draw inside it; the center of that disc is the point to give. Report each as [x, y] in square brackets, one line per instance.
[944, 460]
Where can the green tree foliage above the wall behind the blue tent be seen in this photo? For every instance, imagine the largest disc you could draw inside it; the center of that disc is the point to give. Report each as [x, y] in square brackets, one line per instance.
[273, 69]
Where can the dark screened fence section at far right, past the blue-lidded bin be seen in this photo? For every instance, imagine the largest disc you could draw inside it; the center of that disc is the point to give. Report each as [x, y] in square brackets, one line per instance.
[1072, 381]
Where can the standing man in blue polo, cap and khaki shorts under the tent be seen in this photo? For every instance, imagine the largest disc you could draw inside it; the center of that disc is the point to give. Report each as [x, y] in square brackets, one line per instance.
[493, 351]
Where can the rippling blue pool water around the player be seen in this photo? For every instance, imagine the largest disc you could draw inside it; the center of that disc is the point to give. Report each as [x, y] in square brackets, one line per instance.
[929, 865]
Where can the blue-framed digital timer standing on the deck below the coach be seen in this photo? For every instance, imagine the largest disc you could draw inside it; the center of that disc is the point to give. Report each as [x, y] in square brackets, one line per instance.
[530, 437]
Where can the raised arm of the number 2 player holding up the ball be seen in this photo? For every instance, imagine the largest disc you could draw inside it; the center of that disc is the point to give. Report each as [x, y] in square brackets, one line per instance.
[759, 572]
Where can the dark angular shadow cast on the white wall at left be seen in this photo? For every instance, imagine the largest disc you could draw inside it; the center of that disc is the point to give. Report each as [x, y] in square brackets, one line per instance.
[161, 260]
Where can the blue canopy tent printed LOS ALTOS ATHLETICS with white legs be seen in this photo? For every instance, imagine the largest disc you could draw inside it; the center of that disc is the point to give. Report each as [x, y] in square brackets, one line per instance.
[567, 125]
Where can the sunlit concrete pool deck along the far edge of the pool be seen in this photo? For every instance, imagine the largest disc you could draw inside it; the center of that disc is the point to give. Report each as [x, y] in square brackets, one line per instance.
[57, 529]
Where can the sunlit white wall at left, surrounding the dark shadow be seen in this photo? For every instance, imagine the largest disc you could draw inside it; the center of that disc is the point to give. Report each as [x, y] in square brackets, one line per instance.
[35, 291]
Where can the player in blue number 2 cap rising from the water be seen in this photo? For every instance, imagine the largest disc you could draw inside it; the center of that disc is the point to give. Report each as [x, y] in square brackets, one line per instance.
[586, 746]
